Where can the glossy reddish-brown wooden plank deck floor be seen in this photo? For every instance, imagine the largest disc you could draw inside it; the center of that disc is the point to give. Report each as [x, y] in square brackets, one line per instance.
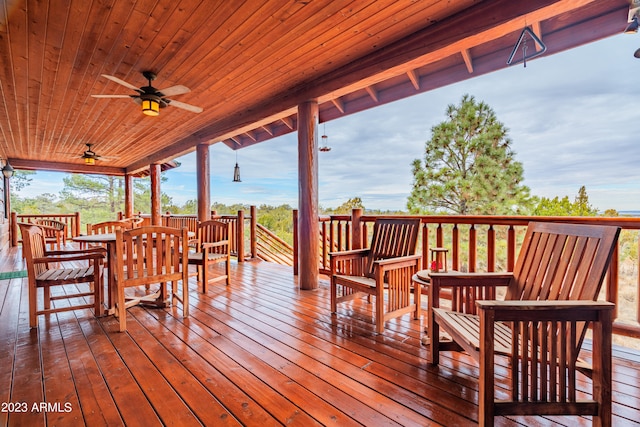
[259, 352]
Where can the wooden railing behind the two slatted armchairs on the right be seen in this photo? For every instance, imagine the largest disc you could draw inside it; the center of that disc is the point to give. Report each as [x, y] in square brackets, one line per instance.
[491, 243]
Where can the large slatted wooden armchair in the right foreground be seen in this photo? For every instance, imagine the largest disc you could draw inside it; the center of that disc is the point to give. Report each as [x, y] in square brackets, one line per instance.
[550, 302]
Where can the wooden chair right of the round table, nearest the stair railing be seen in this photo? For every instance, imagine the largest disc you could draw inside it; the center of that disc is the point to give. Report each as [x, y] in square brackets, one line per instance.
[212, 247]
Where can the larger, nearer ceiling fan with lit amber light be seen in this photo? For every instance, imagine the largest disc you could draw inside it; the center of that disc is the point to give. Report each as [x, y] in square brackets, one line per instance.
[150, 98]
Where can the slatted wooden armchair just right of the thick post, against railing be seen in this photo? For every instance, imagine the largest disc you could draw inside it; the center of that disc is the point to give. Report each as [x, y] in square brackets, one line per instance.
[388, 264]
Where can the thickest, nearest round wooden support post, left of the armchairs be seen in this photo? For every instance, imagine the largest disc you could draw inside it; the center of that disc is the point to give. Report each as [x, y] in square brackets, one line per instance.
[308, 227]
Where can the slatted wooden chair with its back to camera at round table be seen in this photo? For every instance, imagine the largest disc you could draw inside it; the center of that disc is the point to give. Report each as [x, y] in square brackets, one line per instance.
[147, 256]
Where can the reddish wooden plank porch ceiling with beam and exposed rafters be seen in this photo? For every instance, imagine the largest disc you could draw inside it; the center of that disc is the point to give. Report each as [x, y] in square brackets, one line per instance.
[248, 65]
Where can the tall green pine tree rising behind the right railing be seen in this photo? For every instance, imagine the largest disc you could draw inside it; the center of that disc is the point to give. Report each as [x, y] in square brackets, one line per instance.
[469, 166]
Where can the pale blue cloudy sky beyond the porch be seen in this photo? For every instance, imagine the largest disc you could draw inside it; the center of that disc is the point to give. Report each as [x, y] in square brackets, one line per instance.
[572, 118]
